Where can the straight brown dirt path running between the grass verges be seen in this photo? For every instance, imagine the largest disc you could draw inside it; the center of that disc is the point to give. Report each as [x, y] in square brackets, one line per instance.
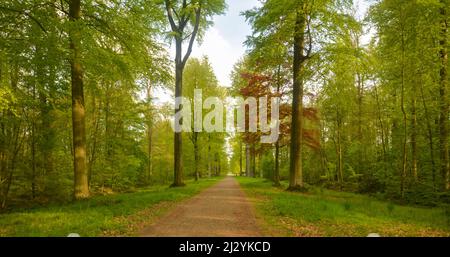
[221, 210]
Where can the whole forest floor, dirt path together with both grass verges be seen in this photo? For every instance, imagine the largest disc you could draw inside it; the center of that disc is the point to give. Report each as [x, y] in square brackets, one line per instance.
[227, 207]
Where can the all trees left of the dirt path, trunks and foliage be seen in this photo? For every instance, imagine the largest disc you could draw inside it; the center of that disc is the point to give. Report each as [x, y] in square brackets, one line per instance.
[77, 80]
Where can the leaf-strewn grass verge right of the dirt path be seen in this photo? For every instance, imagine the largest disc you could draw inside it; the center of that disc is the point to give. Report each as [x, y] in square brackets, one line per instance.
[321, 212]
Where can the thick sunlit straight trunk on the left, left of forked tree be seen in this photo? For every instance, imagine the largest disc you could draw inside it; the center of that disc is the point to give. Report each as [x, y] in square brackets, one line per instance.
[81, 188]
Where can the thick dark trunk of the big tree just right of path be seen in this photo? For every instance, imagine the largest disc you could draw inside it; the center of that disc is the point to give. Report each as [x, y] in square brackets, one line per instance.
[295, 169]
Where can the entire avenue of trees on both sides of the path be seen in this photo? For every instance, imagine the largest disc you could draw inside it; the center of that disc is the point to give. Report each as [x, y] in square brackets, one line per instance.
[364, 99]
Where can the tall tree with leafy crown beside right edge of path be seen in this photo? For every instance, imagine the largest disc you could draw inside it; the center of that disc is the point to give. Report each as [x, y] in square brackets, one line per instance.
[295, 23]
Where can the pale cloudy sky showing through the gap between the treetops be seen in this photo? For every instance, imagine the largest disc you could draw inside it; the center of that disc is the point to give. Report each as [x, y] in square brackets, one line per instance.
[223, 42]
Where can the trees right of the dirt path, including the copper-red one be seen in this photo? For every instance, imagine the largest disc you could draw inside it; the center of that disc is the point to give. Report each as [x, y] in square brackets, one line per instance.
[366, 97]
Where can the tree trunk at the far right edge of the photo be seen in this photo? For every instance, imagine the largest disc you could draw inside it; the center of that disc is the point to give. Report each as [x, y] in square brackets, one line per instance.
[444, 105]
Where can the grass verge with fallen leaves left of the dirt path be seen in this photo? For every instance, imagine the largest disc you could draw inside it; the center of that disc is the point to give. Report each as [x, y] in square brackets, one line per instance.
[113, 215]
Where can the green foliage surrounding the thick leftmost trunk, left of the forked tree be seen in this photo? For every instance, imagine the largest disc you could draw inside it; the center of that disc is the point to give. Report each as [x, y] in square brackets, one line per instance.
[120, 50]
